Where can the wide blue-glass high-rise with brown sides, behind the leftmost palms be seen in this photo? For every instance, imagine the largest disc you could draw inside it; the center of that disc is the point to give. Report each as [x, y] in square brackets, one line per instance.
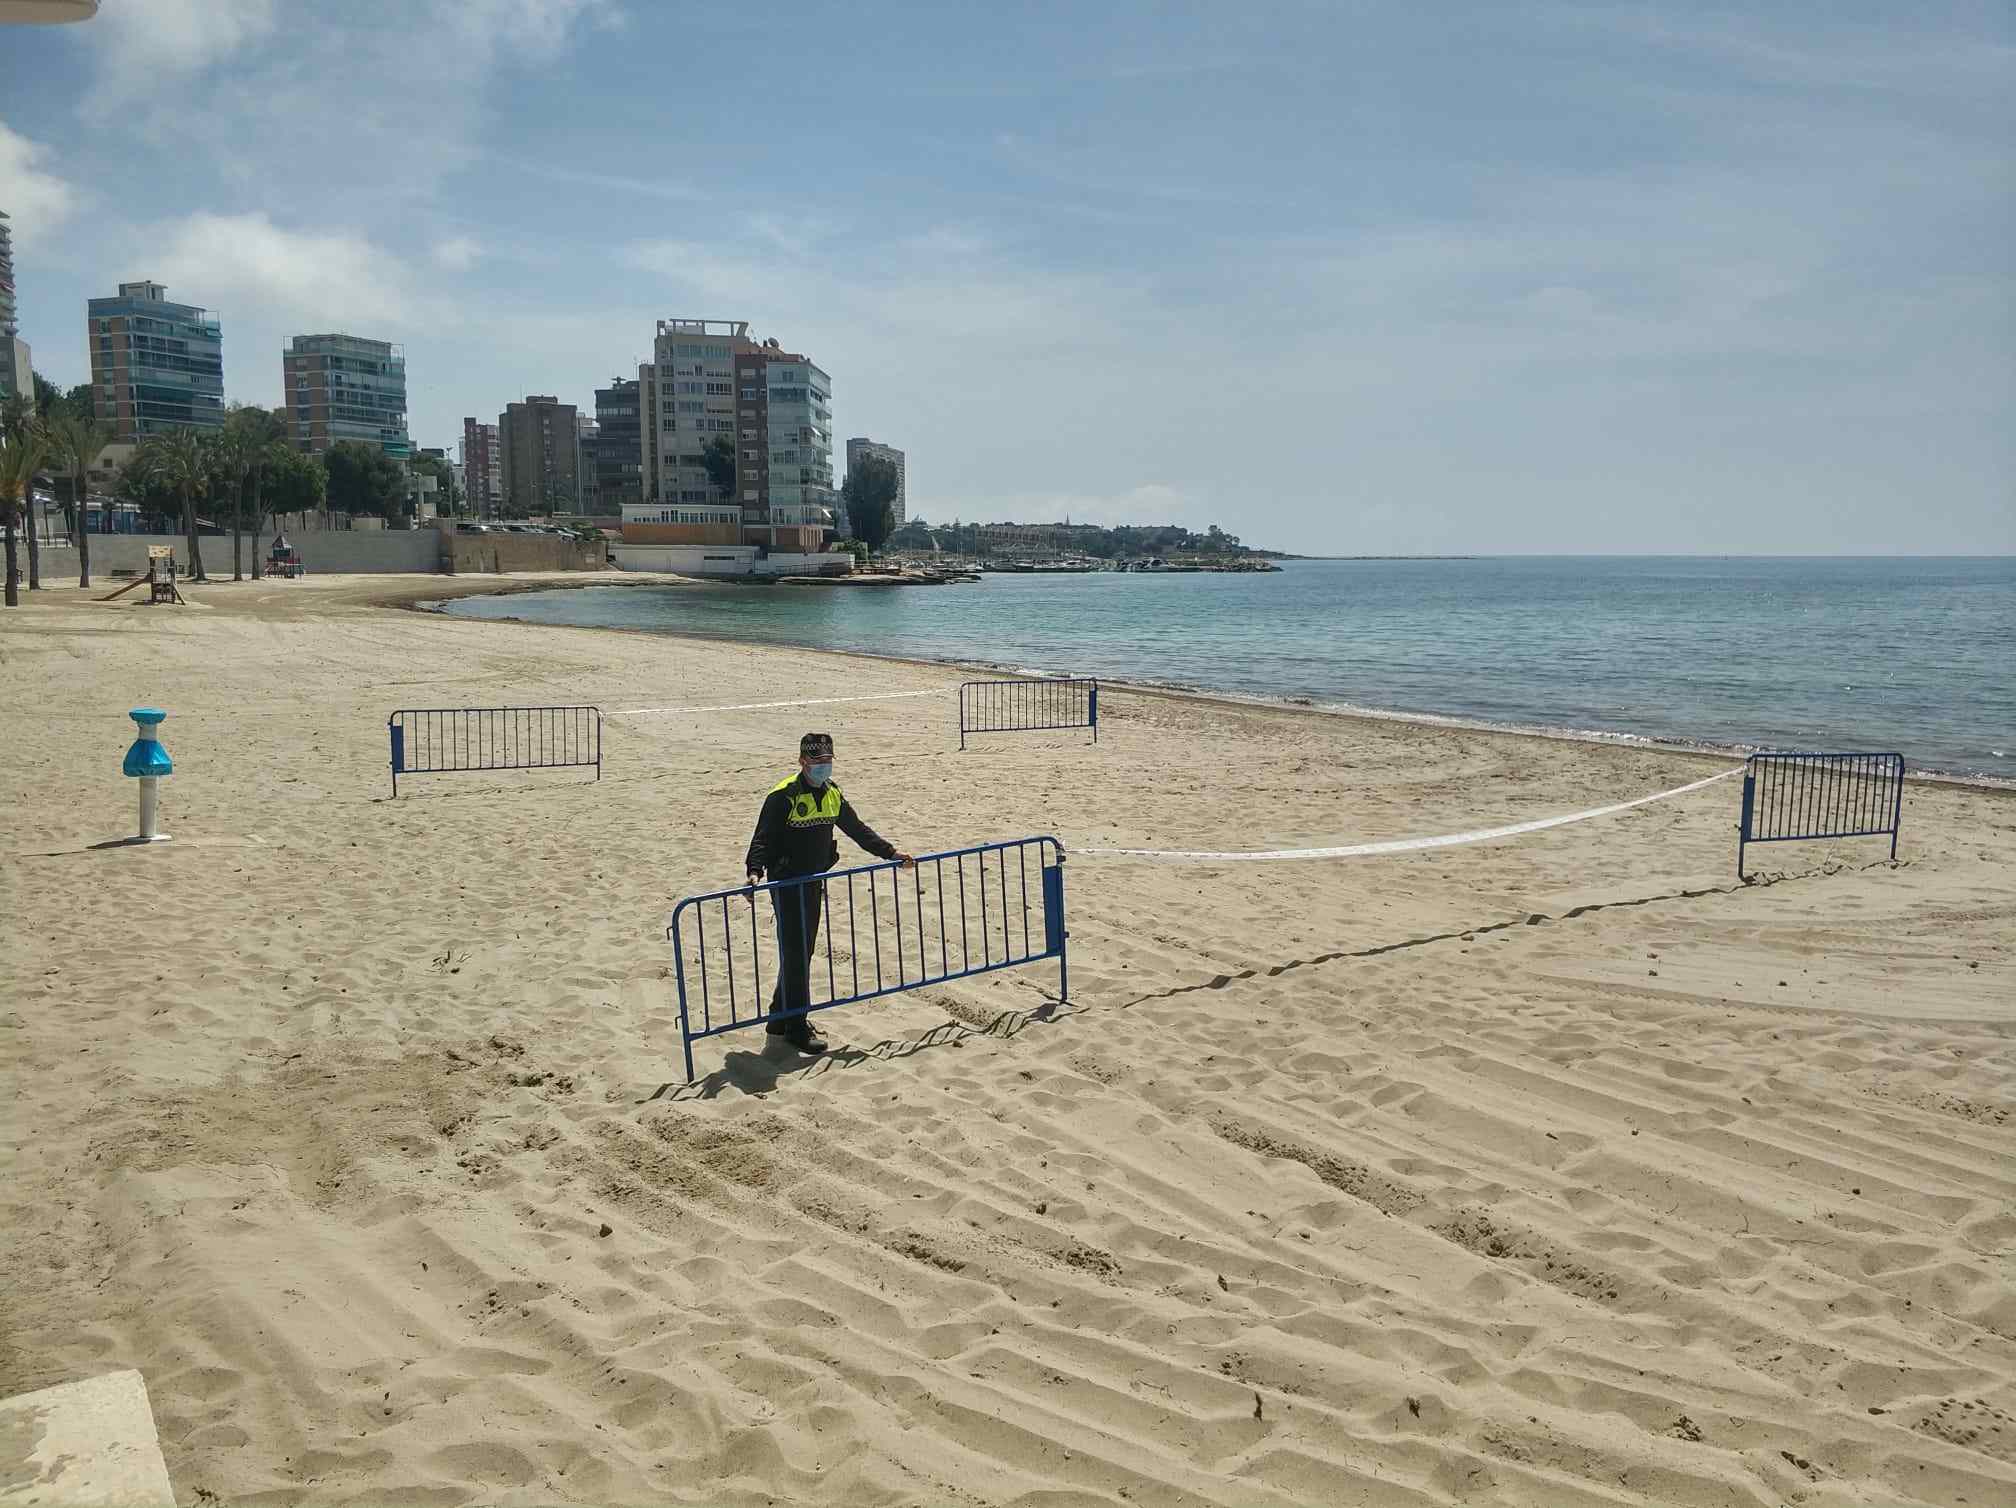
[154, 366]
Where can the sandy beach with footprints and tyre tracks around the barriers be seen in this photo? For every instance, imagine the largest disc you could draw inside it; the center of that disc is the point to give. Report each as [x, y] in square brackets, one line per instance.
[1557, 1170]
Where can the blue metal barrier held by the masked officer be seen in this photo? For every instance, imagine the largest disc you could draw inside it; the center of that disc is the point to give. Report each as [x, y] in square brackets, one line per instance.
[991, 900]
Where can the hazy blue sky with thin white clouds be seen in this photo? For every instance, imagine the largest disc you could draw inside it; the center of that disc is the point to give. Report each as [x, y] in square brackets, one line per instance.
[1342, 277]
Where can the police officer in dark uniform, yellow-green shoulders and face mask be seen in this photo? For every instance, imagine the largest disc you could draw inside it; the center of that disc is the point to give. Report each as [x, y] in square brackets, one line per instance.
[795, 840]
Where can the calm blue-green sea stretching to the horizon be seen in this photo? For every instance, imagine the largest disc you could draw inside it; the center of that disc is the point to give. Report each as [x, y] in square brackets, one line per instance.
[1914, 654]
